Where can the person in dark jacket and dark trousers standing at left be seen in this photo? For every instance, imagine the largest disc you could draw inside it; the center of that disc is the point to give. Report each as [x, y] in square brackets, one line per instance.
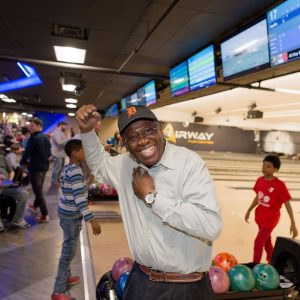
[36, 157]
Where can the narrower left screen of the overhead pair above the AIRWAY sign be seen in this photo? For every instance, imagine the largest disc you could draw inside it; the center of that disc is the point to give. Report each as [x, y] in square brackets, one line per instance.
[179, 80]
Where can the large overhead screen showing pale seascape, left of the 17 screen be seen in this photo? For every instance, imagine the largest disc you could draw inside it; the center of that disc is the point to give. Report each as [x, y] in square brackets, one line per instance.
[246, 52]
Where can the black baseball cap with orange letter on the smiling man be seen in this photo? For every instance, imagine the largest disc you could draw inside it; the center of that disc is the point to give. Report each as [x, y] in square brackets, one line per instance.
[134, 113]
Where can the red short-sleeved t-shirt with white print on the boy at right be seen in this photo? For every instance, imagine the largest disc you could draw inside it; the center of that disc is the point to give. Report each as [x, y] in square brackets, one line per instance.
[271, 195]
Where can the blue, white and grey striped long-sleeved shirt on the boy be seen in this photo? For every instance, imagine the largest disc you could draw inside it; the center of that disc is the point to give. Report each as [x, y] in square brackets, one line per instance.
[73, 199]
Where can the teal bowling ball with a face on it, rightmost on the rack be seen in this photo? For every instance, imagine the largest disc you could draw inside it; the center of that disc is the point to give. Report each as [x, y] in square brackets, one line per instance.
[266, 277]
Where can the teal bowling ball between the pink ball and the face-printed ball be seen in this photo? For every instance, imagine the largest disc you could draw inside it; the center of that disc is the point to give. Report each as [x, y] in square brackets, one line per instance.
[241, 278]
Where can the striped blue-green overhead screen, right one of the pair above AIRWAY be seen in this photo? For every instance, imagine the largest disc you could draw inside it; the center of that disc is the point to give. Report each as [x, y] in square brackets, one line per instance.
[201, 69]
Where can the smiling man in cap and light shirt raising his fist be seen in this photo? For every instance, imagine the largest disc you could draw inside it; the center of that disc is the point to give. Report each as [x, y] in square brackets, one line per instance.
[168, 203]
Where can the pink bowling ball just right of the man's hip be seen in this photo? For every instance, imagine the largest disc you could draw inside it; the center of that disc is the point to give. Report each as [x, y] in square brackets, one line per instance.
[219, 280]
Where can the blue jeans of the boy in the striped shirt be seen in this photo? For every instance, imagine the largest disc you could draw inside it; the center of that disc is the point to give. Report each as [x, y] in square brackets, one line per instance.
[71, 228]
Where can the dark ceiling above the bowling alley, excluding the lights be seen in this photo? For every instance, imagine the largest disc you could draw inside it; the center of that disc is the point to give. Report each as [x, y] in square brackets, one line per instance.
[128, 42]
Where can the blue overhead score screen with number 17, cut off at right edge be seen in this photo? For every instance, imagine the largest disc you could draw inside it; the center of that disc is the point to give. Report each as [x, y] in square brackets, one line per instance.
[284, 32]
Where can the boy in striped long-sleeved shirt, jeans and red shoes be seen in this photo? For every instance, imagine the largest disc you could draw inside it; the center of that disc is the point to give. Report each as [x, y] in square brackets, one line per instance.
[72, 208]
